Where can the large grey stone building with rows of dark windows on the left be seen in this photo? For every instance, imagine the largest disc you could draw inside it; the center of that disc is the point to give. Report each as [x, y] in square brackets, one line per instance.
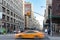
[12, 16]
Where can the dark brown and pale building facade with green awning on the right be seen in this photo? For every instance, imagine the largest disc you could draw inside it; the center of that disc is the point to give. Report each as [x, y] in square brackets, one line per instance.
[52, 15]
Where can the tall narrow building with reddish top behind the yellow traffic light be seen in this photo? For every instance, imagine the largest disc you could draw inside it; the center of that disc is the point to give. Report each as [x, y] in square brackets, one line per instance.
[28, 8]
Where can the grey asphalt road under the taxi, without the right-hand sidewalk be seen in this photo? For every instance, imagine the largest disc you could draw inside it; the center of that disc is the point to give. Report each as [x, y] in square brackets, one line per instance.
[11, 37]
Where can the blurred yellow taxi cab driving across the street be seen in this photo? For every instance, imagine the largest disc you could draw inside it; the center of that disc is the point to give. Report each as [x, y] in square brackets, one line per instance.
[30, 34]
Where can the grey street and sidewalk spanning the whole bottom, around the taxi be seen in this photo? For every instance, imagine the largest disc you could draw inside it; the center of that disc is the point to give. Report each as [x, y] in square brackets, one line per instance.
[11, 37]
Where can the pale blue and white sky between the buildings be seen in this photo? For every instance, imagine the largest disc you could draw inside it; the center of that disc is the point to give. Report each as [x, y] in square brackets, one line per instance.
[39, 7]
